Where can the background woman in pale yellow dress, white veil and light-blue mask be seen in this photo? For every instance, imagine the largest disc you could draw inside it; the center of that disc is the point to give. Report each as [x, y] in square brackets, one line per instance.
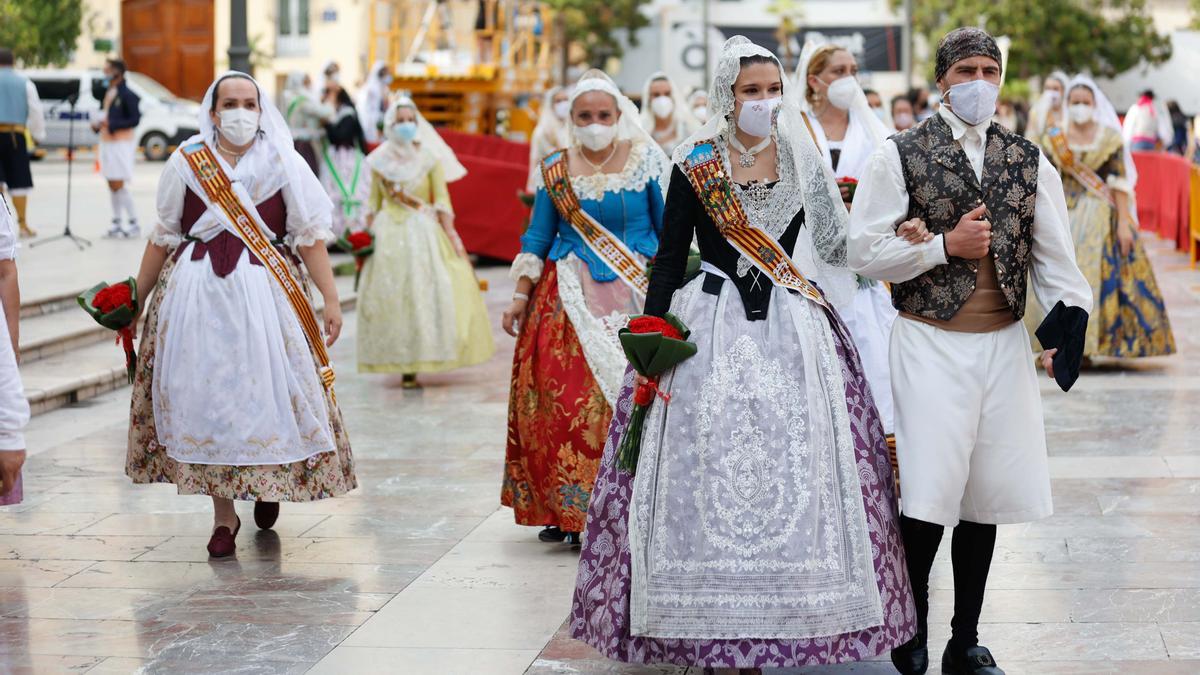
[421, 309]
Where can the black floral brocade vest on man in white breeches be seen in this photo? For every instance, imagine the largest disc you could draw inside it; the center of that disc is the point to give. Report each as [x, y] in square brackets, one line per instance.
[943, 188]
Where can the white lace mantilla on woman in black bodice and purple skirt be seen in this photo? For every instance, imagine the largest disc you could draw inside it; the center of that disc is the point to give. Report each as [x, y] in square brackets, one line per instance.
[805, 181]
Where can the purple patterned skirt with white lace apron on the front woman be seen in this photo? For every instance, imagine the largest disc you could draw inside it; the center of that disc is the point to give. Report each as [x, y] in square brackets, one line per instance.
[723, 503]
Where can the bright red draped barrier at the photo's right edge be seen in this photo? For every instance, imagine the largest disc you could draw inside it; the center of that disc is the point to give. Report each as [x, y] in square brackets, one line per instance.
[1163, 196]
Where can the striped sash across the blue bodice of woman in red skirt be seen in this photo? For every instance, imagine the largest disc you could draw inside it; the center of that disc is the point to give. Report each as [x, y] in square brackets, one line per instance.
[603, 243]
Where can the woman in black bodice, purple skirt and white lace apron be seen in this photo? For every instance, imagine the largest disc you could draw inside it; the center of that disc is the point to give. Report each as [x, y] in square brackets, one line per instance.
[760, 528]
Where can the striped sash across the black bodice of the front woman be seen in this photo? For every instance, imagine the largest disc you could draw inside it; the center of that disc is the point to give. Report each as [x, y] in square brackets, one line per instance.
[707, 177]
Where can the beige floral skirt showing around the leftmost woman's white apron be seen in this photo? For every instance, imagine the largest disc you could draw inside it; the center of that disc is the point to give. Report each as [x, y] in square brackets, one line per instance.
[325, 476]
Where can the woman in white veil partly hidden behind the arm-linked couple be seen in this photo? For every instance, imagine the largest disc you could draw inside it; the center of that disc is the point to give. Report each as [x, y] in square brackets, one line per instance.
[848, 134]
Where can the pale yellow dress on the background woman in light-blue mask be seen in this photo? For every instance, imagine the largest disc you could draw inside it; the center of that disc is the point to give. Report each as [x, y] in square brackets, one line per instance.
[421, 308]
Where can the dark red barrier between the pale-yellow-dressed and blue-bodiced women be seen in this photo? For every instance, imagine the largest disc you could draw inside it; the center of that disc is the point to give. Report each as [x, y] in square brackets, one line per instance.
[488, 213]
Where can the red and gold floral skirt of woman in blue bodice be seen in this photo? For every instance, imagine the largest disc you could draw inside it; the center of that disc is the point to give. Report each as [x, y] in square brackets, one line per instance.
[559, 419]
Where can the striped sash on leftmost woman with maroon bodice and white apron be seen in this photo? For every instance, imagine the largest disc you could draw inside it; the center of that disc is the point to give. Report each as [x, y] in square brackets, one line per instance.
[220, 193]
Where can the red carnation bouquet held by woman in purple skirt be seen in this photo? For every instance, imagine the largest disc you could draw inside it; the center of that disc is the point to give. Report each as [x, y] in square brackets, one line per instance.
[653, 347]
